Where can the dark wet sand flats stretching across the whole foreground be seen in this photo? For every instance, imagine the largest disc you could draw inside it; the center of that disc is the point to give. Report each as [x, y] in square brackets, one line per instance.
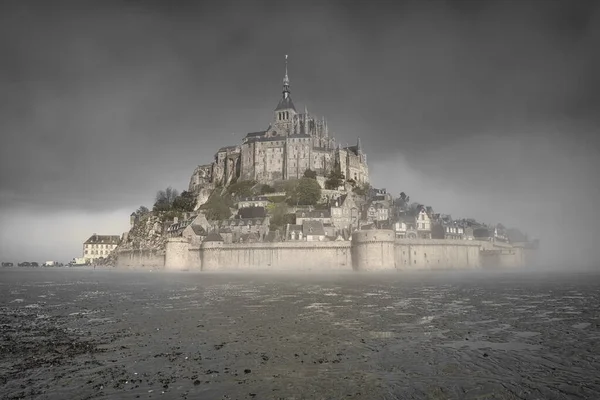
[102, 334]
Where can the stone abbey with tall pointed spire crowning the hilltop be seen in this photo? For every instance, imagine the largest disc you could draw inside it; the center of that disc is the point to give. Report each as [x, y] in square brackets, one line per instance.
[293, 143]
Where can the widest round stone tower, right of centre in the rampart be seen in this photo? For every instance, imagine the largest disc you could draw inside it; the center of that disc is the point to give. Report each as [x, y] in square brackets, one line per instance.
[373, 250]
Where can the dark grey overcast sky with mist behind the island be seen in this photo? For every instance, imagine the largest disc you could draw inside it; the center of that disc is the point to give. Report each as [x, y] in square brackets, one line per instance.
[480, 109]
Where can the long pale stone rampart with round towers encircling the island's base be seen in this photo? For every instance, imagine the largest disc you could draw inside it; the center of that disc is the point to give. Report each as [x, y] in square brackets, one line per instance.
[369, 250]
